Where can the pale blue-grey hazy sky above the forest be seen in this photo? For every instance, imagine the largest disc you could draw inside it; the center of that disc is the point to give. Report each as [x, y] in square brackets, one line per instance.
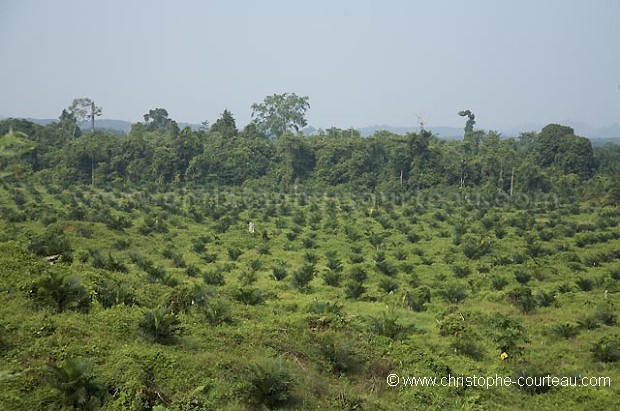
[360, 62]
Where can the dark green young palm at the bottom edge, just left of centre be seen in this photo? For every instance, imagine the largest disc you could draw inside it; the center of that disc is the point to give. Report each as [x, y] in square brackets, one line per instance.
[270, 382]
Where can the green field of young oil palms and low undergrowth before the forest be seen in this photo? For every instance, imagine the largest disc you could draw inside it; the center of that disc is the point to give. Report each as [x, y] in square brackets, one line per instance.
[167, 302]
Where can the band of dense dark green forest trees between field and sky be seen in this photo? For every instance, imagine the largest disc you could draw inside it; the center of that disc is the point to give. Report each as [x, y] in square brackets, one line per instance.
[271, 152]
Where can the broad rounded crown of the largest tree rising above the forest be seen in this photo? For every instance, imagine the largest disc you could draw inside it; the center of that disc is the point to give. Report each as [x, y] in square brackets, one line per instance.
[280, 112]
